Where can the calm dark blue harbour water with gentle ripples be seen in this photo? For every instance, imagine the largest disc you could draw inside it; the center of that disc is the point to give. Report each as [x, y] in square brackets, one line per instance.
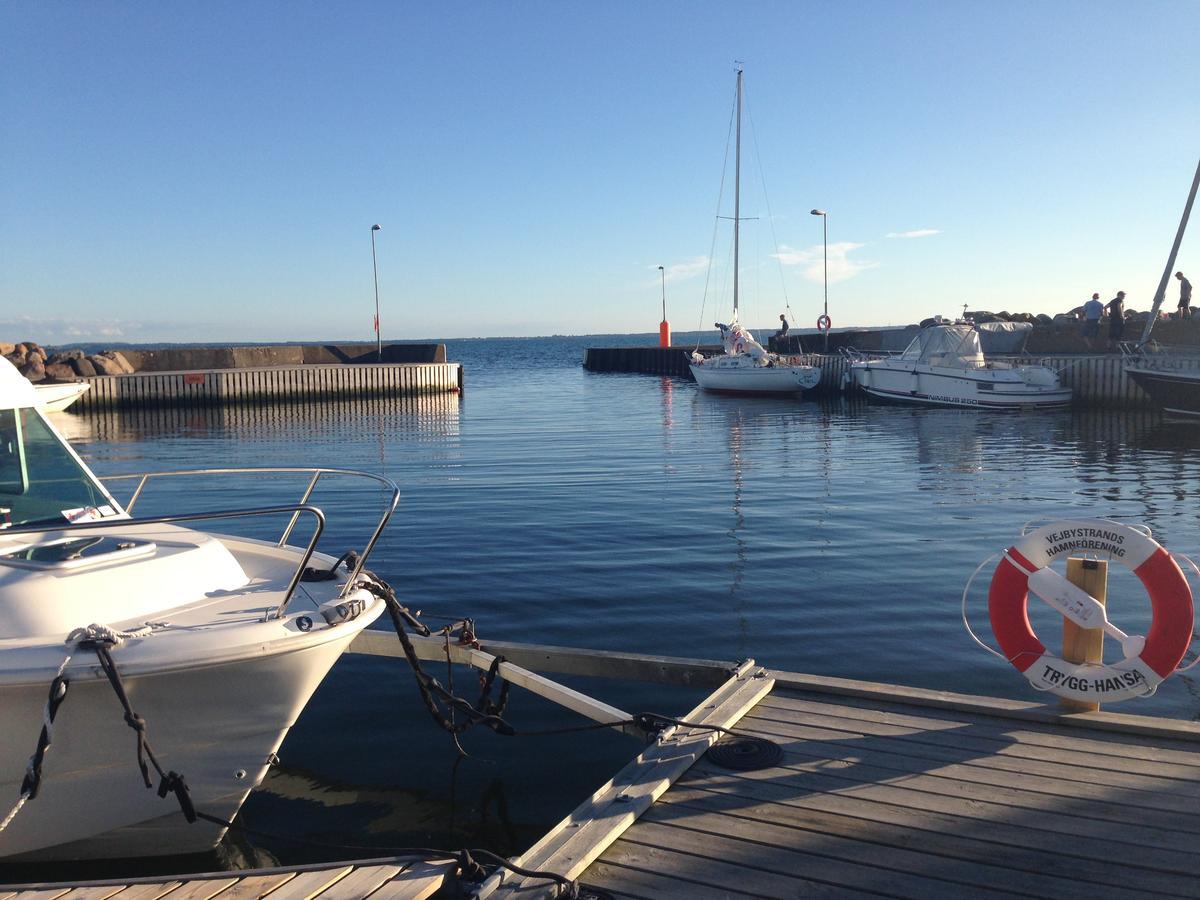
[635, 513]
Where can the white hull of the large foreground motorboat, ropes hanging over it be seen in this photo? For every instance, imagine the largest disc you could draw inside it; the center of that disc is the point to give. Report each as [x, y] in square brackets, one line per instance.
[217, 725]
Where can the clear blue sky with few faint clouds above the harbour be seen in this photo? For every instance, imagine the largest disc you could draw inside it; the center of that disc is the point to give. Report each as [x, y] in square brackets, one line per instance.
[207, 172]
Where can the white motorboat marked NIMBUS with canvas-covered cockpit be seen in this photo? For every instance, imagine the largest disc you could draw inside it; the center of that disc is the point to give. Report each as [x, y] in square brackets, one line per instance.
[945, 365]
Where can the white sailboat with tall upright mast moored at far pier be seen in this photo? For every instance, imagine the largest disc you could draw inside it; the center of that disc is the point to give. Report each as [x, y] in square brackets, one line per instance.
[746, 367]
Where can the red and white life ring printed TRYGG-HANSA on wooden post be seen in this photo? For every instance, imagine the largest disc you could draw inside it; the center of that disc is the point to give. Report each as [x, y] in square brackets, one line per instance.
[1025, 567]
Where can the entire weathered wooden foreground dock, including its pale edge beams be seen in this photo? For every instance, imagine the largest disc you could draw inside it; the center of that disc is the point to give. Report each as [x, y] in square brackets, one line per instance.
[878, 791]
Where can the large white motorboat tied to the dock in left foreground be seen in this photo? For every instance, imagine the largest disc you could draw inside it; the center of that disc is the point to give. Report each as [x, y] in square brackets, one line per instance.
[217, 641]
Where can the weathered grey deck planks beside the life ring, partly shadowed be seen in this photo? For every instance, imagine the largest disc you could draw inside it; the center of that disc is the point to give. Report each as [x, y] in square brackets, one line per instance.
[926, 796]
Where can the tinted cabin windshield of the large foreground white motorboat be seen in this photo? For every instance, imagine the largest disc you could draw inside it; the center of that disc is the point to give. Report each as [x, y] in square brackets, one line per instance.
[41, 481]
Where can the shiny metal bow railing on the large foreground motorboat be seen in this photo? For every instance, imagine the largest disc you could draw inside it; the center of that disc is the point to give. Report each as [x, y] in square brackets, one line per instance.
[296, 509]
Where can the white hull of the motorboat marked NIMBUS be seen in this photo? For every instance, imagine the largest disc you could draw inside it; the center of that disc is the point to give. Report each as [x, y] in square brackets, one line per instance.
[970, 389]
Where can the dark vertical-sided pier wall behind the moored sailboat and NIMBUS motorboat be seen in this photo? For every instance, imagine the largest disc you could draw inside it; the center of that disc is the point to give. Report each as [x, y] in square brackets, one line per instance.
[1099, 380]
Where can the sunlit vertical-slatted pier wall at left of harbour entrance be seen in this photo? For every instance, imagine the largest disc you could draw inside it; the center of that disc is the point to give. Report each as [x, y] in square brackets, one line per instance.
[272, 385]
